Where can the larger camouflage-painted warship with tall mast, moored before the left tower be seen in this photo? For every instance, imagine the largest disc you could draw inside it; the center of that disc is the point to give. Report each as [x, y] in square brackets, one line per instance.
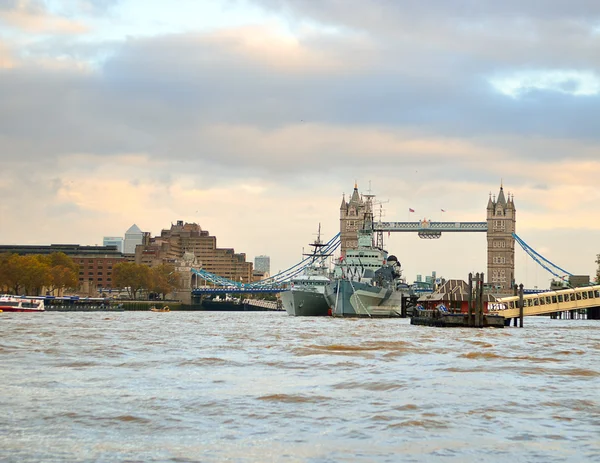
[367, 282]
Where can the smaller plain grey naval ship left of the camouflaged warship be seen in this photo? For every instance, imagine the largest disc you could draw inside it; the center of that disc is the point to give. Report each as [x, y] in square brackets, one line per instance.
[306, 295]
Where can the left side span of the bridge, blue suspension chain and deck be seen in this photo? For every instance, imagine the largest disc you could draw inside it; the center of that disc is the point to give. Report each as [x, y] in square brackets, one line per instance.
[208, 283]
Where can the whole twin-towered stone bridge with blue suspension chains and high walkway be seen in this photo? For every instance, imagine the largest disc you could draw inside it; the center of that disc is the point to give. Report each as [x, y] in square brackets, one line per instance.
[500, 228]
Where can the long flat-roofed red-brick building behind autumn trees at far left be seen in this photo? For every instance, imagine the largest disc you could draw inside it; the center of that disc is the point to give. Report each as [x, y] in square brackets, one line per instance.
[95, 262]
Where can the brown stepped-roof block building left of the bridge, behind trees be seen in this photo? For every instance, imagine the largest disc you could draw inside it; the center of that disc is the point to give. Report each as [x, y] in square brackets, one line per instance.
[182, 237]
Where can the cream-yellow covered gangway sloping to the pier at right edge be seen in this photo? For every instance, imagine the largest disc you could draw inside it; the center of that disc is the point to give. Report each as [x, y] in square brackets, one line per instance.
[548, 302]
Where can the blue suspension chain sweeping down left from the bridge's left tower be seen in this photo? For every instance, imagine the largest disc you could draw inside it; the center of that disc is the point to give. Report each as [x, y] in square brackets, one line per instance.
[279, 278]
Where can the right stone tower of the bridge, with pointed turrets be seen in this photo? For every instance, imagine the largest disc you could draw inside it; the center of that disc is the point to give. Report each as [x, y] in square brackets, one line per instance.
[501, 220]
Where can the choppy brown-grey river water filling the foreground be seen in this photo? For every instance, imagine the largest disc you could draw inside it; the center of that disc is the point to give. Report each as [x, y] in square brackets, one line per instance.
[266, 387]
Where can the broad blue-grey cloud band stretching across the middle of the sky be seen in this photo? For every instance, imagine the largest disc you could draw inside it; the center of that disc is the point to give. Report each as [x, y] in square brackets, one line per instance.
[158, 95]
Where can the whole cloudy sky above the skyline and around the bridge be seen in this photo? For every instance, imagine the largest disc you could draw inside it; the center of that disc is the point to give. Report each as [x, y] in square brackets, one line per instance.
[254, 117]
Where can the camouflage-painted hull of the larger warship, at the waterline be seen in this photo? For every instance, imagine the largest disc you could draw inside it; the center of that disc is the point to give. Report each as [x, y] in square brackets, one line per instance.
[354, 299]
